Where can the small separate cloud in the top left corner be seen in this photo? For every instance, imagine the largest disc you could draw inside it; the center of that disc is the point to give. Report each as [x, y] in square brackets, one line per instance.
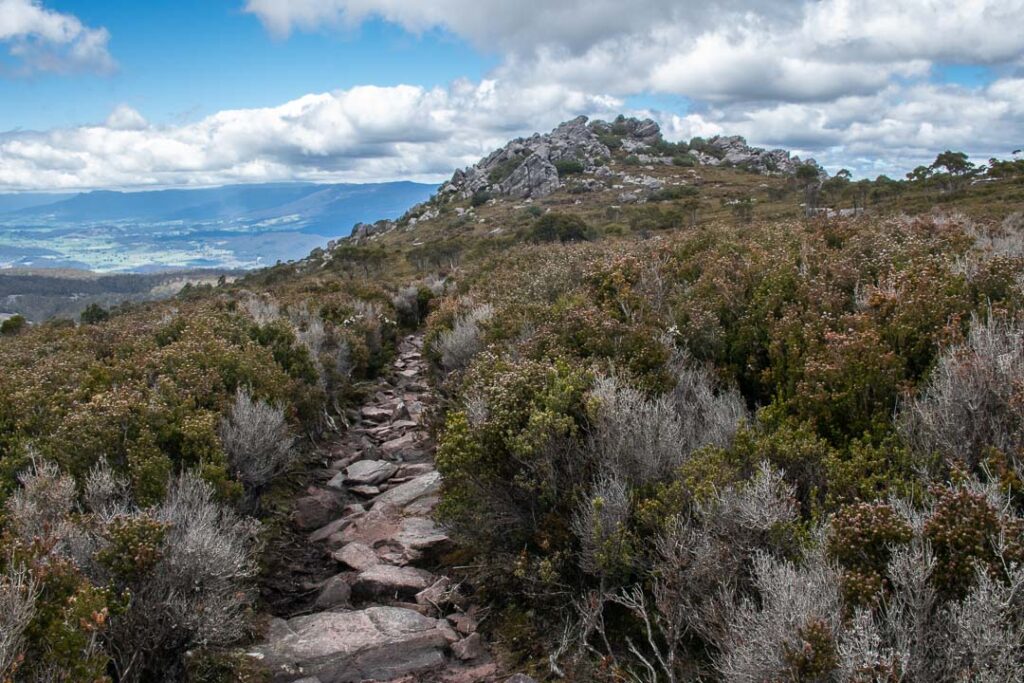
[39, 39]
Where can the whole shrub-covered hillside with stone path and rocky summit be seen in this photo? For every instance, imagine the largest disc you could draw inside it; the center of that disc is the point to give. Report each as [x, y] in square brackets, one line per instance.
[652, 418]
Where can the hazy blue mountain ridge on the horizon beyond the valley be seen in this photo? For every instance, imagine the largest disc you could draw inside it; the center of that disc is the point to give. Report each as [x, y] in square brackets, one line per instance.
[326, 210]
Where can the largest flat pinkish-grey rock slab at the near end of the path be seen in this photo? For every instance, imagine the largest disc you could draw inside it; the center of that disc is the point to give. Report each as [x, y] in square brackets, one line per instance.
[377, 644]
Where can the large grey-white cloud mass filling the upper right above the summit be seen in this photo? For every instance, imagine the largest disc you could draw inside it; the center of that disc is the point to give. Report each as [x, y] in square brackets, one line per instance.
[847, 81]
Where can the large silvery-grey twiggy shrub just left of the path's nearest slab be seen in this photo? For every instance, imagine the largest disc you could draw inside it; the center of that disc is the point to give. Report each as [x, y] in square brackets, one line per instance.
[189, 581]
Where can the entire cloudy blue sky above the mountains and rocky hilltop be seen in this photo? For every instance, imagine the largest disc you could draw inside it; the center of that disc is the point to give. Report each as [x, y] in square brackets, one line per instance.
[131, 96]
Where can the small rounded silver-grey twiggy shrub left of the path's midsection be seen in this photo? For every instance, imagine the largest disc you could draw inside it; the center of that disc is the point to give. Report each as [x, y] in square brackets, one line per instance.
[258, 440]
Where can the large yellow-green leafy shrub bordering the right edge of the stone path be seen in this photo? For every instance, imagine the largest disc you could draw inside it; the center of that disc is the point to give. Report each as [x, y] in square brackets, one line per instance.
[513, 473]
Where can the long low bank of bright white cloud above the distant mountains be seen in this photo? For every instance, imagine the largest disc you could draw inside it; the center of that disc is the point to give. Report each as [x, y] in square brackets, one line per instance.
[363, 135]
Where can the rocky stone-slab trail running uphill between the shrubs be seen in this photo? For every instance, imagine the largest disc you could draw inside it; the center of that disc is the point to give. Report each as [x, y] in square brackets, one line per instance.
[364, 600]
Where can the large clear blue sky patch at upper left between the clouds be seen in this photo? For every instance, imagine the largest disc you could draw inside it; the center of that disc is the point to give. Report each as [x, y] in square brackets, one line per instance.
[182, 61]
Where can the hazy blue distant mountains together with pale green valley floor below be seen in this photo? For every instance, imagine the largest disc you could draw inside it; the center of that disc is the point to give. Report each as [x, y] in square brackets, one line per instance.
[235, 227]
